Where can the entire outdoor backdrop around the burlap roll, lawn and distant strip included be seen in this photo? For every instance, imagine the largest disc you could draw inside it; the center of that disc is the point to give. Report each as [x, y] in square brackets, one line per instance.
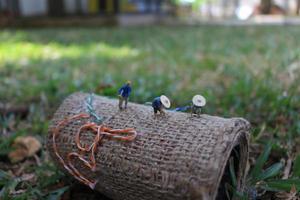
[243, 56]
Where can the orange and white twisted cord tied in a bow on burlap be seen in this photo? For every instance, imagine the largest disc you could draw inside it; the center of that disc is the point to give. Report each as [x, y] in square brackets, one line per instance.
[100, 132]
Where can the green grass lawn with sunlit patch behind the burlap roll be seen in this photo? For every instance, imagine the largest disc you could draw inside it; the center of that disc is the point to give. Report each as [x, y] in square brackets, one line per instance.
[253, 72]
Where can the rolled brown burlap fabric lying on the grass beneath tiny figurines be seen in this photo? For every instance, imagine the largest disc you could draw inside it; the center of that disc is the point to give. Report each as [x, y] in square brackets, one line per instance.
[176, 156]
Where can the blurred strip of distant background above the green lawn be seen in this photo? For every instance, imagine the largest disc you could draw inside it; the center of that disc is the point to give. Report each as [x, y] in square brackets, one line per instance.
[11, 11]
